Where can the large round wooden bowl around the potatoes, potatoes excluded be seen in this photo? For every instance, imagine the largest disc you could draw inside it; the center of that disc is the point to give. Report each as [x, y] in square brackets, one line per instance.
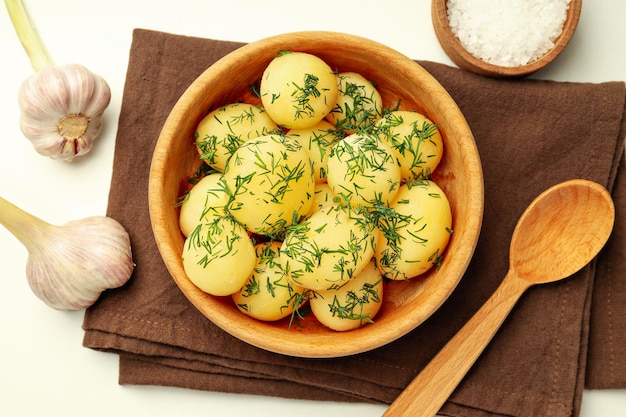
[407, 303]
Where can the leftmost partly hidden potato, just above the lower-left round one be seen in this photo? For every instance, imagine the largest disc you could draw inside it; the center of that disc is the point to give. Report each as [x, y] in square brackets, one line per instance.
[204, 201]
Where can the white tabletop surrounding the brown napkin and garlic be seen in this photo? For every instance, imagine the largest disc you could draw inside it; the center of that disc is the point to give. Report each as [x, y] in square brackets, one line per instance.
[44, 370]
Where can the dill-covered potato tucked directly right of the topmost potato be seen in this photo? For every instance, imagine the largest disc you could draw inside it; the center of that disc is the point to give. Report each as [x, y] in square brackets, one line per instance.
[359, 104]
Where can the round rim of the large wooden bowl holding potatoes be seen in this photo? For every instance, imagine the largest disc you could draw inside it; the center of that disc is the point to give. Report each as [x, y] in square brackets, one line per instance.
[333, 344]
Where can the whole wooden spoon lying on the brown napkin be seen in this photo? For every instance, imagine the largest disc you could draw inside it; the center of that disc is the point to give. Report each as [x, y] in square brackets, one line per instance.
[558, 234]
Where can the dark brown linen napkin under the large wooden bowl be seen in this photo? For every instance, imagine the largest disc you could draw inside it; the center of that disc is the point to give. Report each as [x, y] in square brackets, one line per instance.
[530, 134]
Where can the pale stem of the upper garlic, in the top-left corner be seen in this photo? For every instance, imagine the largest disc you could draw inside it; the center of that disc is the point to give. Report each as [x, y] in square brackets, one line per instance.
[28, 35]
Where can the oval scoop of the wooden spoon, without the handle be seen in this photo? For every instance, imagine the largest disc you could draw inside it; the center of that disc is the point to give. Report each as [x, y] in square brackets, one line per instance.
[571, 216]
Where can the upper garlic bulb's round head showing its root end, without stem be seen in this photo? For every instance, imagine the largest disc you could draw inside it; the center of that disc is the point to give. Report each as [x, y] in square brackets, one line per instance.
[61, 110]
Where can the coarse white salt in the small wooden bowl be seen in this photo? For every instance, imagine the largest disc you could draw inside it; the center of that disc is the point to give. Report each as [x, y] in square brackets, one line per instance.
[507, 33]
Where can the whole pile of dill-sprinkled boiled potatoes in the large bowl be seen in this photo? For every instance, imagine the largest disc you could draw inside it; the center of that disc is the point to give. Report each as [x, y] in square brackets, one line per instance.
[318, 195]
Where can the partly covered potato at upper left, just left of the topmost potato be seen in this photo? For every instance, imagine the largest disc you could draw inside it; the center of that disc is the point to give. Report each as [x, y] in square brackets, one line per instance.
[223, 130]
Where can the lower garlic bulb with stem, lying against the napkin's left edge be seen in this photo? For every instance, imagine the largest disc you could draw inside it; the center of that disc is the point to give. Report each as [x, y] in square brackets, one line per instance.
[69, 266]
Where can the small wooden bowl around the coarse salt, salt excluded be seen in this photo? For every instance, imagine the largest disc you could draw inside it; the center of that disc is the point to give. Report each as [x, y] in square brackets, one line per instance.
[465, 60]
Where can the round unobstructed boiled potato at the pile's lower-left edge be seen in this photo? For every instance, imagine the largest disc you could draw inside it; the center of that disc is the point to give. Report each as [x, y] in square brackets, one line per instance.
[218, 257]
